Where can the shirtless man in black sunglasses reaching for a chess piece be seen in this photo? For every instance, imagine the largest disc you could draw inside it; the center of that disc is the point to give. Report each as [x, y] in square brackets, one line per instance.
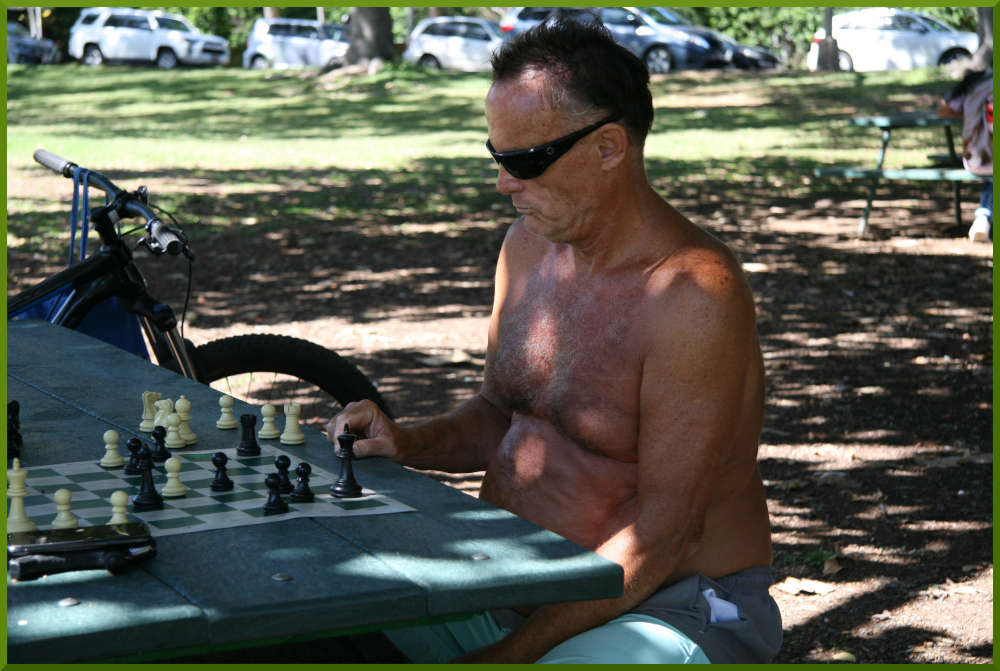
[623, 389]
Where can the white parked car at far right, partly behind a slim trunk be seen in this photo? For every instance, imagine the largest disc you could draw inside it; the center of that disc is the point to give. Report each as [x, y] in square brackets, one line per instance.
[883, 38]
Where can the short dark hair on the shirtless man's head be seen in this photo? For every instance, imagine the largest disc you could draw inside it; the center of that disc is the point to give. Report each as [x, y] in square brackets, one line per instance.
[588, 73]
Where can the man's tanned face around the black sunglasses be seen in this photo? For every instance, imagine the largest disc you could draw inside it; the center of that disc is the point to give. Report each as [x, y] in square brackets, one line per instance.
[554, 204]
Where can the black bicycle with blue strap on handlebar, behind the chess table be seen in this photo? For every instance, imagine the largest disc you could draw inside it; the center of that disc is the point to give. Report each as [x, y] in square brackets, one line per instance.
[257, 368]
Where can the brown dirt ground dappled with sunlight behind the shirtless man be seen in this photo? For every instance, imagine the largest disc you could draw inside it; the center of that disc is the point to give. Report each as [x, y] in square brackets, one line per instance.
[877, 448]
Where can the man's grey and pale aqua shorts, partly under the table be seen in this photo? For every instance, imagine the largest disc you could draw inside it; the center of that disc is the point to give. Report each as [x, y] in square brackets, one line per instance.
[728, 620]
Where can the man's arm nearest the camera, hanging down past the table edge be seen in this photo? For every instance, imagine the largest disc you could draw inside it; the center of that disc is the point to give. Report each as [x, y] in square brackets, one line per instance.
[693, 385]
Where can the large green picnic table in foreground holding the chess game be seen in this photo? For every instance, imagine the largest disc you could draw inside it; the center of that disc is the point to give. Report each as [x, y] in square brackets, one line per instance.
[289, 579]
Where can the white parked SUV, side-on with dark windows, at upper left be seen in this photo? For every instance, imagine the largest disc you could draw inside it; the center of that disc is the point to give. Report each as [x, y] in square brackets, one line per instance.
[120, 34]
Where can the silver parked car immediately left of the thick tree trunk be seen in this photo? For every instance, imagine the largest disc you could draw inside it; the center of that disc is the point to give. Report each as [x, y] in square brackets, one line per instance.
[283, 43]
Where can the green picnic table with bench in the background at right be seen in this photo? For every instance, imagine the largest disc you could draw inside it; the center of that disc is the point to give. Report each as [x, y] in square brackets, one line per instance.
[942, 167]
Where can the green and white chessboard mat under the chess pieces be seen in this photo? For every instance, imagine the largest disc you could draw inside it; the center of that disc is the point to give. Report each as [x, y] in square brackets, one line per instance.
[200, 509]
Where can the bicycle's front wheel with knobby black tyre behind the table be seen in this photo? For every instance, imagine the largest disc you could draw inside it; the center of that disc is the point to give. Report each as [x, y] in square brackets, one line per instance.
[275, 369]
